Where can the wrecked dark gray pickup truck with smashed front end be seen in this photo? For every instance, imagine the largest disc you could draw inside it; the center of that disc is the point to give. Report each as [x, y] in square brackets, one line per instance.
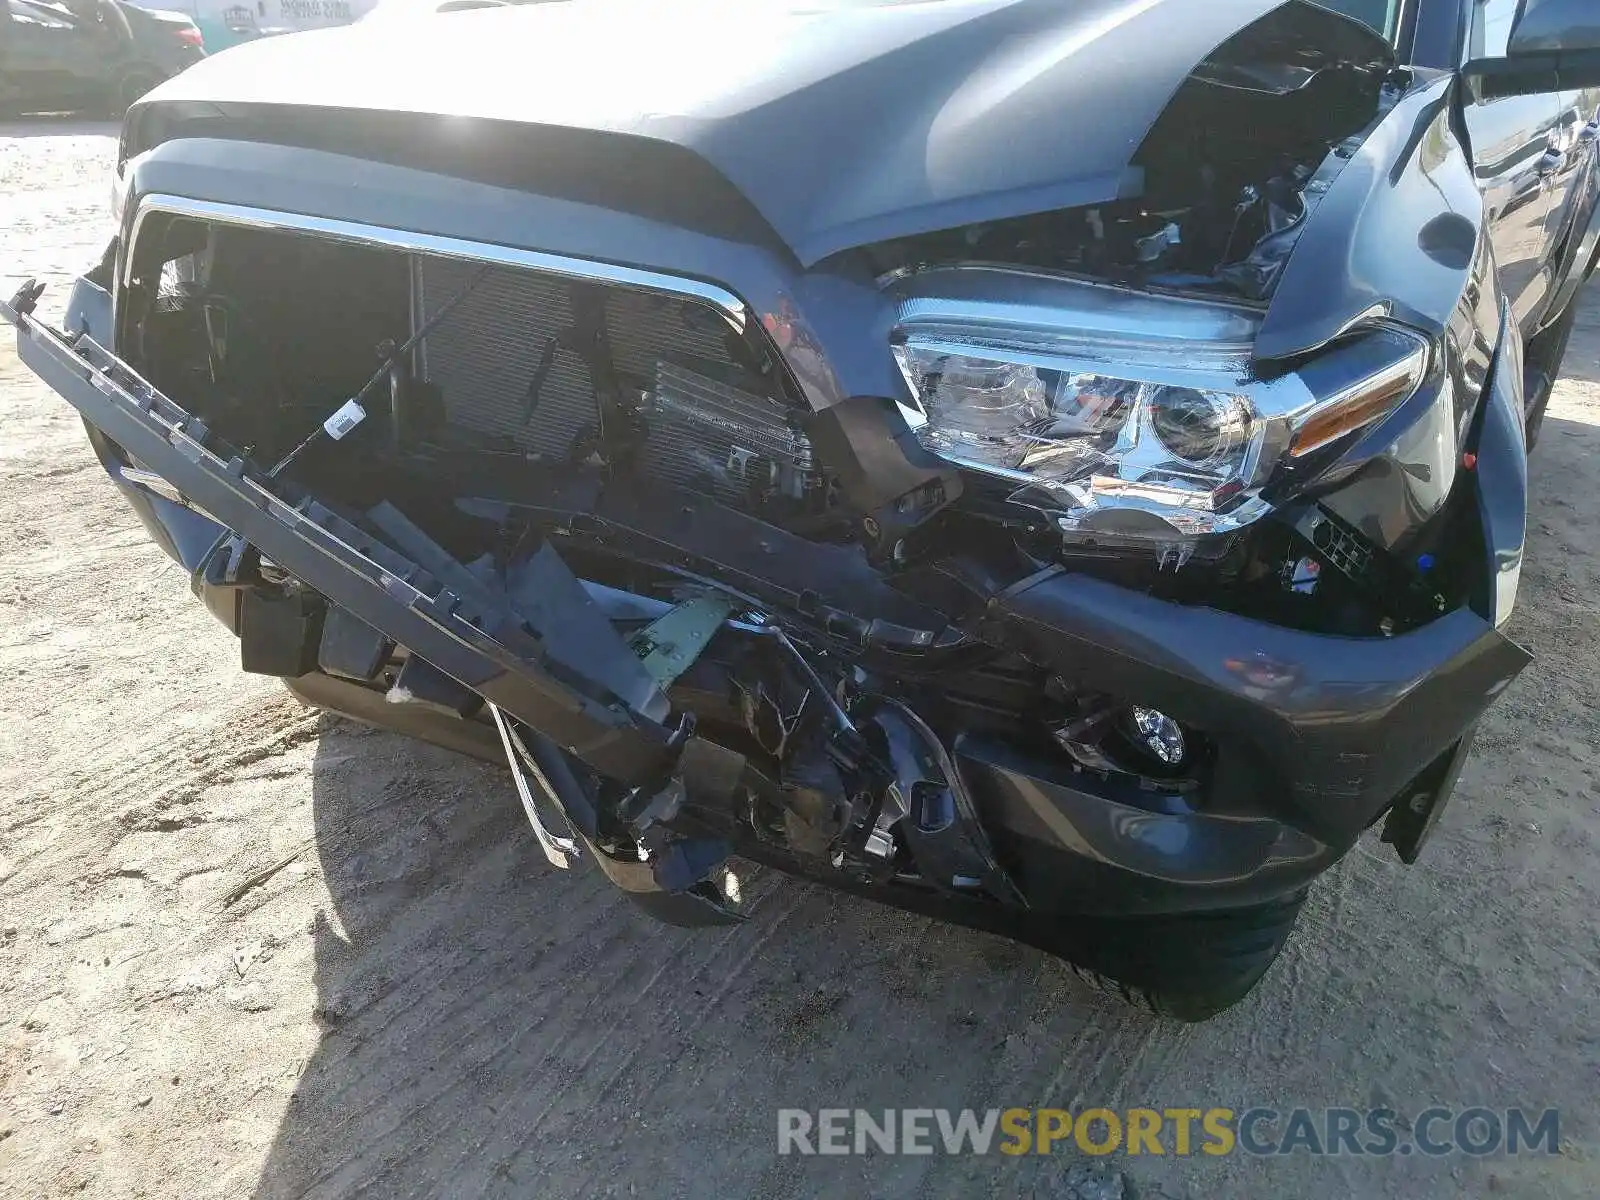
[1052, 465]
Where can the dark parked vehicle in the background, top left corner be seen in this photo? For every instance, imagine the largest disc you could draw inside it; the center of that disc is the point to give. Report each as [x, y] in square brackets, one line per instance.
[58, 58]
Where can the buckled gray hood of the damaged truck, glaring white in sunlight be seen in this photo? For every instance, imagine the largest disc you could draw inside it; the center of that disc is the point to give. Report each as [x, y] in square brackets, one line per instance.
[844, 124]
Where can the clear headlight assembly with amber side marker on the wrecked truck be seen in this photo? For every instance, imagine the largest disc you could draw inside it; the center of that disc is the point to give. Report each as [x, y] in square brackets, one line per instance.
[1126, 414]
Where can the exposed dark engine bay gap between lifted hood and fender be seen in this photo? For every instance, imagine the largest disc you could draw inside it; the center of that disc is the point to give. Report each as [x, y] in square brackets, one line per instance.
[1230, 175]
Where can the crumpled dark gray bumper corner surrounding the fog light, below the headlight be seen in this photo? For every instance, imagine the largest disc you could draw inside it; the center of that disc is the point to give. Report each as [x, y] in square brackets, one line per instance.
[1316, 738]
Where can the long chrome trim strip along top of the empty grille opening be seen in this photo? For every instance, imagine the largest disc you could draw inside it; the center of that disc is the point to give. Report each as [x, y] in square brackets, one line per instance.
[433, 244]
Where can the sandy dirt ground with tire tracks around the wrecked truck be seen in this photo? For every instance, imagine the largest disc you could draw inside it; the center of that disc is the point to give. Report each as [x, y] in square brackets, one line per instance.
[254, 951]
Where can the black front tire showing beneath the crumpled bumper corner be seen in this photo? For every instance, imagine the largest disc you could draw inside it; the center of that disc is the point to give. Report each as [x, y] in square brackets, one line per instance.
[1186, 967]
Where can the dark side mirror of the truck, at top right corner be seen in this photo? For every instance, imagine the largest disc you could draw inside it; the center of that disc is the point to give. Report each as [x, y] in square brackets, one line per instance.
[1554, 47]
